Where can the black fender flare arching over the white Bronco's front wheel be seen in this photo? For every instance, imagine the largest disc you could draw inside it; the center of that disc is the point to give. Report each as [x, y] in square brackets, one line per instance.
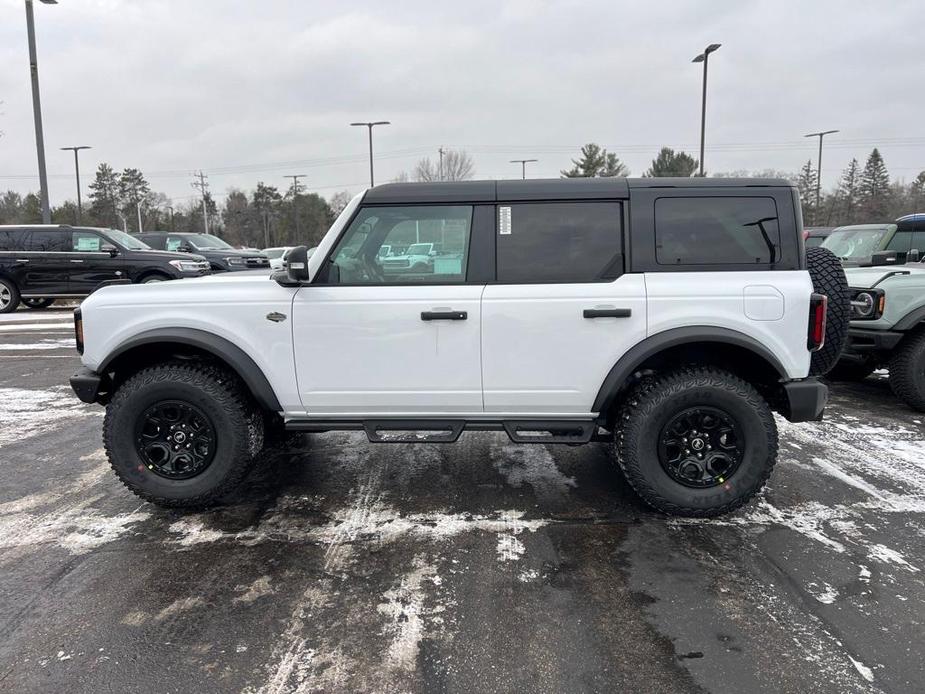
[230, 353]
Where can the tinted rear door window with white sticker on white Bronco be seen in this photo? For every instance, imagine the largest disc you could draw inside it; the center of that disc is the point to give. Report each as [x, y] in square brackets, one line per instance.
[559, 242]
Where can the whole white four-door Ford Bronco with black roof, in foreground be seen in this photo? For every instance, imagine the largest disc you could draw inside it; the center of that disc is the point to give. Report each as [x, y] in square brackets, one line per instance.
[668, 316]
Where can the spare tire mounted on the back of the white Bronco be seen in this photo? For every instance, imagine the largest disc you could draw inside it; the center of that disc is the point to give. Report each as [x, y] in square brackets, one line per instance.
[828, 278]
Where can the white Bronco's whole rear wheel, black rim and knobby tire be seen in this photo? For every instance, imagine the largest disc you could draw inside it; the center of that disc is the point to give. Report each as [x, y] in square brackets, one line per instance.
[696, 442]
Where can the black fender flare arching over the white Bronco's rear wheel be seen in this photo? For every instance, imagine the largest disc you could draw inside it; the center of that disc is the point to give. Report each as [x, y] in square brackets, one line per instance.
[629, 363]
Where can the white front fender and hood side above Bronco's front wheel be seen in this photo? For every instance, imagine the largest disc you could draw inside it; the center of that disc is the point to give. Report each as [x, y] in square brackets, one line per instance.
[233, 306]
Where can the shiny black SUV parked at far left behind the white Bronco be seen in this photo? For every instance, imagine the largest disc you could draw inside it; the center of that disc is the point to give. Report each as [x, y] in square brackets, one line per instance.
[41, 263]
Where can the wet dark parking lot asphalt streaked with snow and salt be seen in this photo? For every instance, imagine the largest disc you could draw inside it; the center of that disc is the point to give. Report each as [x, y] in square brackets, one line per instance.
[477, 567]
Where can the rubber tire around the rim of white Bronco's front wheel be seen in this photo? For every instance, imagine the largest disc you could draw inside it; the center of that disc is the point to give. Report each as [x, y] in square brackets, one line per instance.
[237, 423]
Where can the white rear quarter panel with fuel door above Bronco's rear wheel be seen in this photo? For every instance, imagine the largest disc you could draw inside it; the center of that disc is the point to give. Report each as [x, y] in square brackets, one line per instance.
[726, 299]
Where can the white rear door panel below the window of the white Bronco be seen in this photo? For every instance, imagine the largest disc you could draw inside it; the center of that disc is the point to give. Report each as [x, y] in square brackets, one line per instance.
[539, 354]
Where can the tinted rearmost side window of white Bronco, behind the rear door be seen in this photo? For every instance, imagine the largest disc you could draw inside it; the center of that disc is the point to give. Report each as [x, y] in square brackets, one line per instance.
[716, 231]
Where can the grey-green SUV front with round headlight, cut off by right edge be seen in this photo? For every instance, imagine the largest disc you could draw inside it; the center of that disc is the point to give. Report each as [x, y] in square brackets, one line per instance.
[887, 328]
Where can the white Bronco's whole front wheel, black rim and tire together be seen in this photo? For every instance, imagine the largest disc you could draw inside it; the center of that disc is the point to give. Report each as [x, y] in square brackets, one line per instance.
[181, 434]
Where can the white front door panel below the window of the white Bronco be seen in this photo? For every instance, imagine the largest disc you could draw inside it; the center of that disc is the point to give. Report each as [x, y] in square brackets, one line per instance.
[366, 349]
